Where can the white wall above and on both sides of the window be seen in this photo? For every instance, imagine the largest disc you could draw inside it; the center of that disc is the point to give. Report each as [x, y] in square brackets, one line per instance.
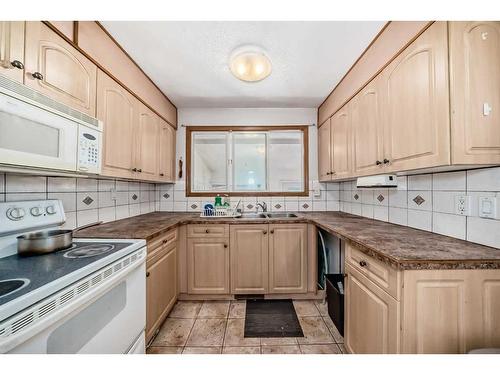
[249, 116]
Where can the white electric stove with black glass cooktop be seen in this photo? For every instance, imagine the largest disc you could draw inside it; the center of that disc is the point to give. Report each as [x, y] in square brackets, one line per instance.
[89, 298]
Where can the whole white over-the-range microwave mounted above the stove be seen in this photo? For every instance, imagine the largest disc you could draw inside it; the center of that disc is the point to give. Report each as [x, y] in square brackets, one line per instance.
[38, 132]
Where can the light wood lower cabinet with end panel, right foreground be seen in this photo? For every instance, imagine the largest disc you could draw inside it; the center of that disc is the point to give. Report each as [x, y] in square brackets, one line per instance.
[432, 311]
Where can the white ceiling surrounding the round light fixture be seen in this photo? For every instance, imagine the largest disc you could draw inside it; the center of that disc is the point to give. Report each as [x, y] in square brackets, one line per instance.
[188, 60]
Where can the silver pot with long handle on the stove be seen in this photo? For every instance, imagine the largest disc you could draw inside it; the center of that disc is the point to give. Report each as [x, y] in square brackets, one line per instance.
[48, 241]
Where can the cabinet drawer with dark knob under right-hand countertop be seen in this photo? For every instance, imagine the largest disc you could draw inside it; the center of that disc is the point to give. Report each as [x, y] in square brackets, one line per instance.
[378, 272]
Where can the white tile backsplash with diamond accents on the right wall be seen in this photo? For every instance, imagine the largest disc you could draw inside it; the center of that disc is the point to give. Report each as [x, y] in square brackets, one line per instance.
[428, 202]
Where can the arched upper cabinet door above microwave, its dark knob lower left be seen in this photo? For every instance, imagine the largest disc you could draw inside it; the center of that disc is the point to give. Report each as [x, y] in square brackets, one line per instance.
[64, 74]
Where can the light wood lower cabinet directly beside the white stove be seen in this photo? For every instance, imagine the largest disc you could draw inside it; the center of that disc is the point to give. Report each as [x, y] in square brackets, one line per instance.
[161, 281]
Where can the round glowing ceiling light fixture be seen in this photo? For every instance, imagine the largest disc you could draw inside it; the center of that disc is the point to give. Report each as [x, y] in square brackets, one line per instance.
[250, 64]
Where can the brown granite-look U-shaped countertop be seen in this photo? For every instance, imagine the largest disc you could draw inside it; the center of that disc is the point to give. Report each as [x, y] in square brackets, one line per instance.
[400, 247]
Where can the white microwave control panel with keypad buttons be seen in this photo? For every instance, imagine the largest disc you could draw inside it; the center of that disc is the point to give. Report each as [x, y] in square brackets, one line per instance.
[89, 150]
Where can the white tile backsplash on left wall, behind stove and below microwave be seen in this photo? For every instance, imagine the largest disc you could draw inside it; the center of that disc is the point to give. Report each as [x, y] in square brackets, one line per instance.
[85, 200]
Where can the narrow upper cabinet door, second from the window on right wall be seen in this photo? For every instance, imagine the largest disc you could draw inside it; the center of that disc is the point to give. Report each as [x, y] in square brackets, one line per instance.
[341, 143]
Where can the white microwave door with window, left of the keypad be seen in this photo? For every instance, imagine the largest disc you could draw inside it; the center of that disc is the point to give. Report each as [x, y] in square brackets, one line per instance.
[34, 137]
